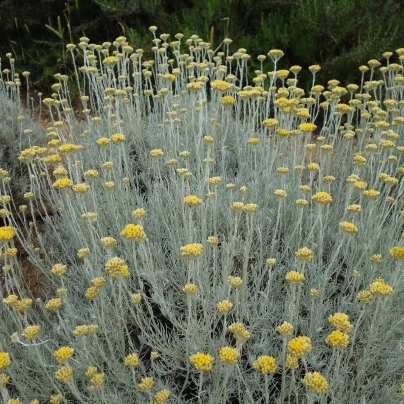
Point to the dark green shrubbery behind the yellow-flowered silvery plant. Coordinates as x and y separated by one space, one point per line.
338 34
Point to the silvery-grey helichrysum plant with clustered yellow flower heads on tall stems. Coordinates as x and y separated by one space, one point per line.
201 236
